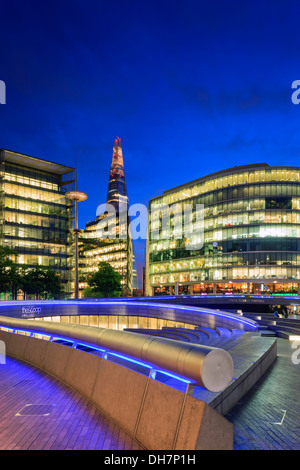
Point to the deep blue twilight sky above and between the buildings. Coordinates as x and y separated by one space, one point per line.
190 87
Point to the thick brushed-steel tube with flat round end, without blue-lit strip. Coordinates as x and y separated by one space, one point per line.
212 368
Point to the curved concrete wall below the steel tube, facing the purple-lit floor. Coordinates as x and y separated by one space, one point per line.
157 416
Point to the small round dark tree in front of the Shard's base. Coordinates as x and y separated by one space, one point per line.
105 282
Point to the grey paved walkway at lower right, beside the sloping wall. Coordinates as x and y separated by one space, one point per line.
268 416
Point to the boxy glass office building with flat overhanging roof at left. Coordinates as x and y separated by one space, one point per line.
35 216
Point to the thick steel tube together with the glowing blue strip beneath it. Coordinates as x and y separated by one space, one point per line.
209 367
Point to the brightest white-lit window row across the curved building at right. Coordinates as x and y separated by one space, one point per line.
227 233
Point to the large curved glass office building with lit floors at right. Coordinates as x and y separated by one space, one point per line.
251 237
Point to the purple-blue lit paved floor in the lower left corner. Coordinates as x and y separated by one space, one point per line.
38 412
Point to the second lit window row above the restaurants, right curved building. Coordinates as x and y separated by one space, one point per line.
247 259
